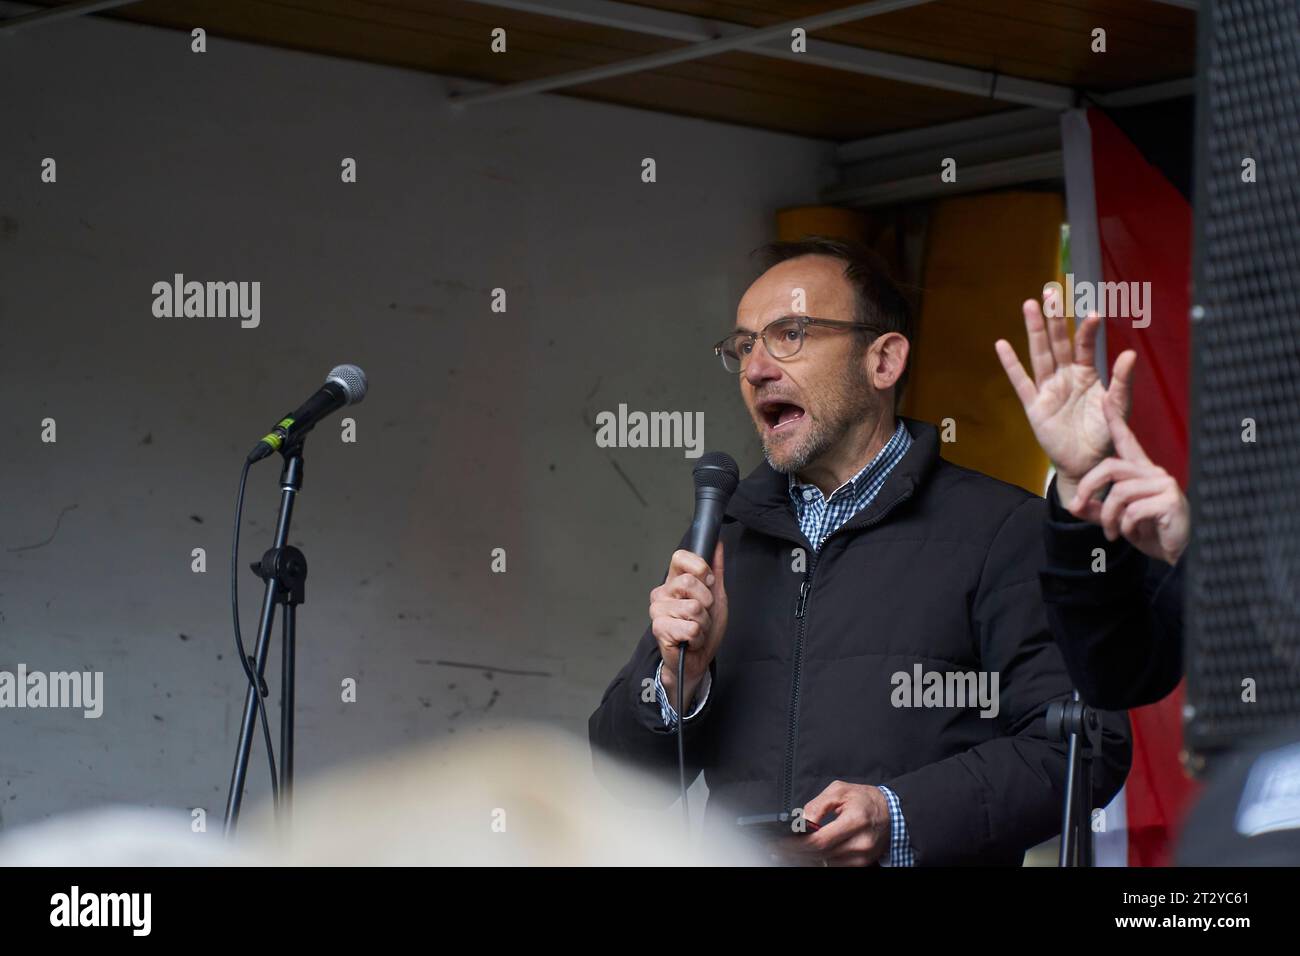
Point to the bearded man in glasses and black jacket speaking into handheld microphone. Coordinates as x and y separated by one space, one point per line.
869 646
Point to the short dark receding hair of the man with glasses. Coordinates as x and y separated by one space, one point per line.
878 299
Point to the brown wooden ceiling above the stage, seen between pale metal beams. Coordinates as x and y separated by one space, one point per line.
1035 40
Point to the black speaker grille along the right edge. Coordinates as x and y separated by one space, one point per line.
1243 611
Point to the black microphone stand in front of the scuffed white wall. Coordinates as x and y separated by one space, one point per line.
284 570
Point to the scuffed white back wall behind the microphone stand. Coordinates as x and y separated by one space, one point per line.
476 432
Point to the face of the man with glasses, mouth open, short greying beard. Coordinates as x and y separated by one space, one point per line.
805 405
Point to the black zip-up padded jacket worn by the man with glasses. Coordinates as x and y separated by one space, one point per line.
942 570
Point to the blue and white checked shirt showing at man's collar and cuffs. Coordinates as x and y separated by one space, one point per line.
820 517
